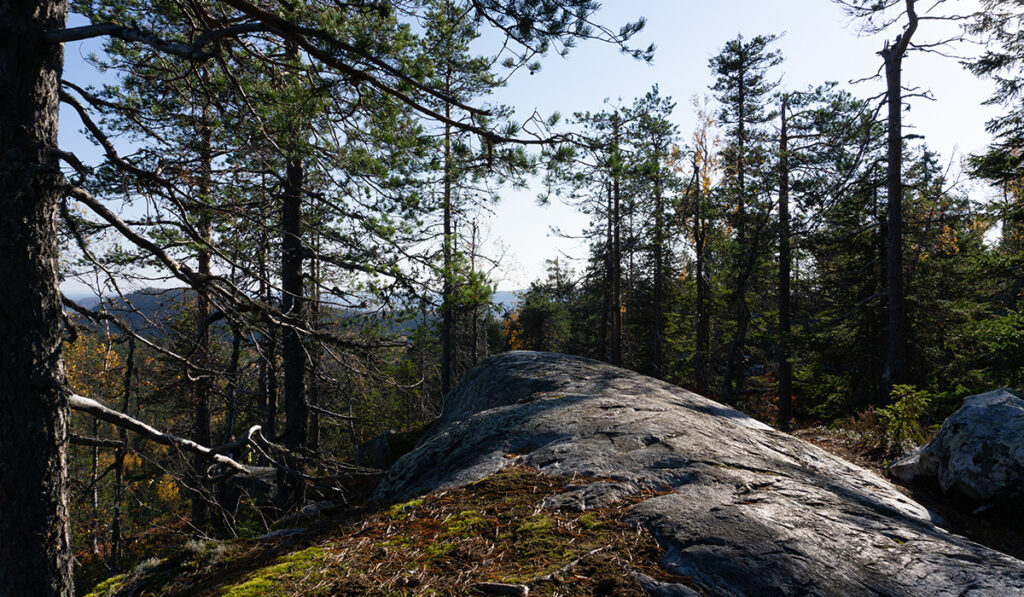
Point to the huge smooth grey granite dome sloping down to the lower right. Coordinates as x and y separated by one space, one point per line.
751 511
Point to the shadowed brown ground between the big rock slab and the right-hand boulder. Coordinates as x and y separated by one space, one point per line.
1001 529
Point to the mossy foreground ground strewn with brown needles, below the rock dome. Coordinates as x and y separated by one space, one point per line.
448 543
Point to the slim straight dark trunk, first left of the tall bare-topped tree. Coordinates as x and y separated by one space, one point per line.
785 264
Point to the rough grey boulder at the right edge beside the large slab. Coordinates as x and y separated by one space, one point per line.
979 451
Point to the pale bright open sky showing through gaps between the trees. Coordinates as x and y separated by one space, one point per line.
819 44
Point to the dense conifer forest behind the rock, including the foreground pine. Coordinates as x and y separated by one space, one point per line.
282 225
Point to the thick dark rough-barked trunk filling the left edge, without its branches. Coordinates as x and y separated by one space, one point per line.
35 556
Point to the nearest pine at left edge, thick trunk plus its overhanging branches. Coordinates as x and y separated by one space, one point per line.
33 517
